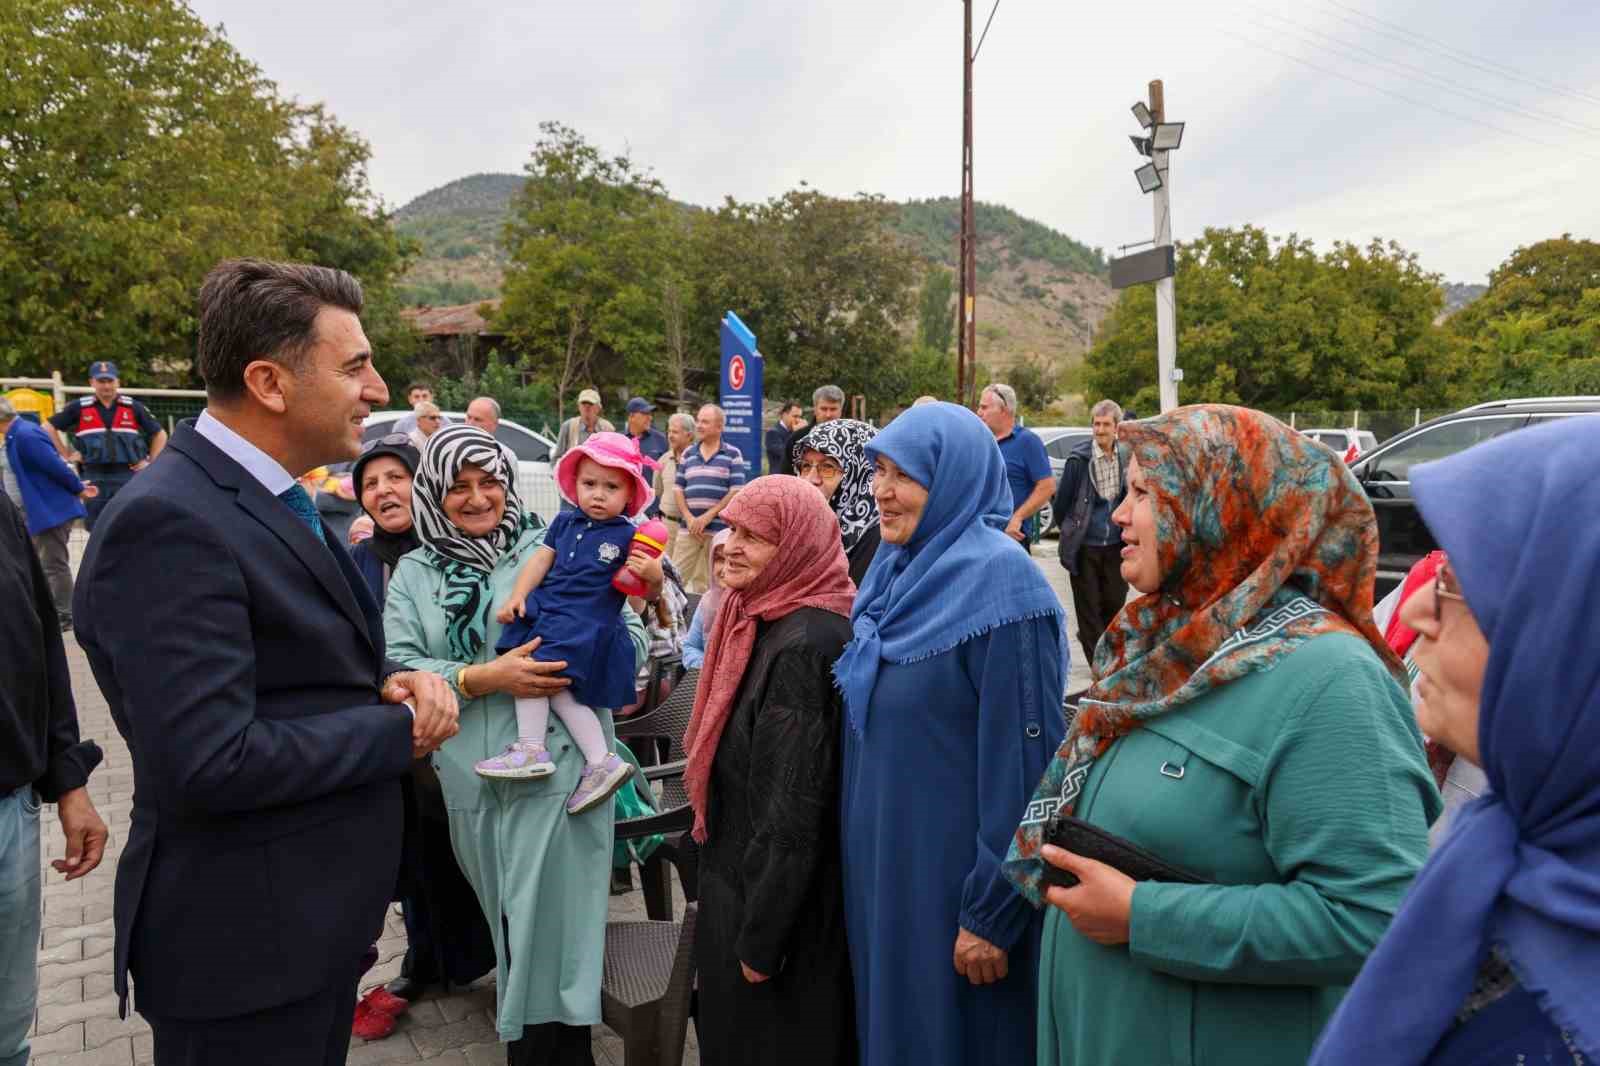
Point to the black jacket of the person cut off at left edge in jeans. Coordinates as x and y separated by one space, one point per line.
39 723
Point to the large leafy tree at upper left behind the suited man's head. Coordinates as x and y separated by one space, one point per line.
138 150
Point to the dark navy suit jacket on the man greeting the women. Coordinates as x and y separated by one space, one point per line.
242 663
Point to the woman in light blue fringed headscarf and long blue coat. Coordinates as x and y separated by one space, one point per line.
953 691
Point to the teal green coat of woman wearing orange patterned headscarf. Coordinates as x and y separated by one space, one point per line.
1305 795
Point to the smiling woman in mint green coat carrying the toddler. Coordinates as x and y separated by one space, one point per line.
540 875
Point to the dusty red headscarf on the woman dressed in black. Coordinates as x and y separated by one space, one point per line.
809 571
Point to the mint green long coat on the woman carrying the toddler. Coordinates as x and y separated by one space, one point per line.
545 872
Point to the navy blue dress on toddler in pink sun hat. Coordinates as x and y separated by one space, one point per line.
578 614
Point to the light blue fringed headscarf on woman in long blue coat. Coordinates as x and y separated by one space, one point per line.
961 575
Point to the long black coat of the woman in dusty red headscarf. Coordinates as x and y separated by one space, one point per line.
770 875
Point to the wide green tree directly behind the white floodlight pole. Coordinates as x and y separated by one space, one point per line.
1268 323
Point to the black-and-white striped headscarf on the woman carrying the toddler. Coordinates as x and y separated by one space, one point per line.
465 561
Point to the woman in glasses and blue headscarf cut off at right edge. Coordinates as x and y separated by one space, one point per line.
1495 956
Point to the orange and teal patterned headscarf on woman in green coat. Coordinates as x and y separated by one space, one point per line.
1265 540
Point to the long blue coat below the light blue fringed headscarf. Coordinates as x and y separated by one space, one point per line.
934 790
